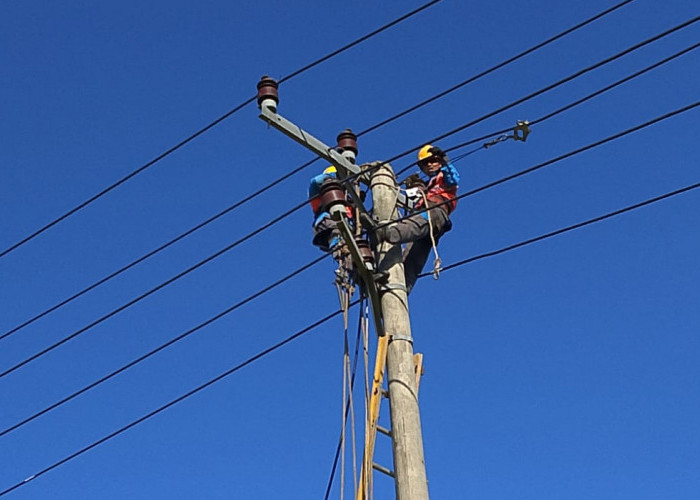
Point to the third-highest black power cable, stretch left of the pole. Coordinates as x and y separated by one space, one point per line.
151 291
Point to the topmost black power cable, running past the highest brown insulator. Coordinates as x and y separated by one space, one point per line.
209 127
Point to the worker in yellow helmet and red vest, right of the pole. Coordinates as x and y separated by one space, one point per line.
439 195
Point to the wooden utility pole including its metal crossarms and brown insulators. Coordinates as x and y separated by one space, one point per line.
389 302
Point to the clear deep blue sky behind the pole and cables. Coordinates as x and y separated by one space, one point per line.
565 369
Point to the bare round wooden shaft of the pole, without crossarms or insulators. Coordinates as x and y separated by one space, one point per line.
409 462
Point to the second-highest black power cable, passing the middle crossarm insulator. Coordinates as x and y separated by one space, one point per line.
302 167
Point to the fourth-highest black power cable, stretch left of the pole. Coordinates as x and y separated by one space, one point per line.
161 347
